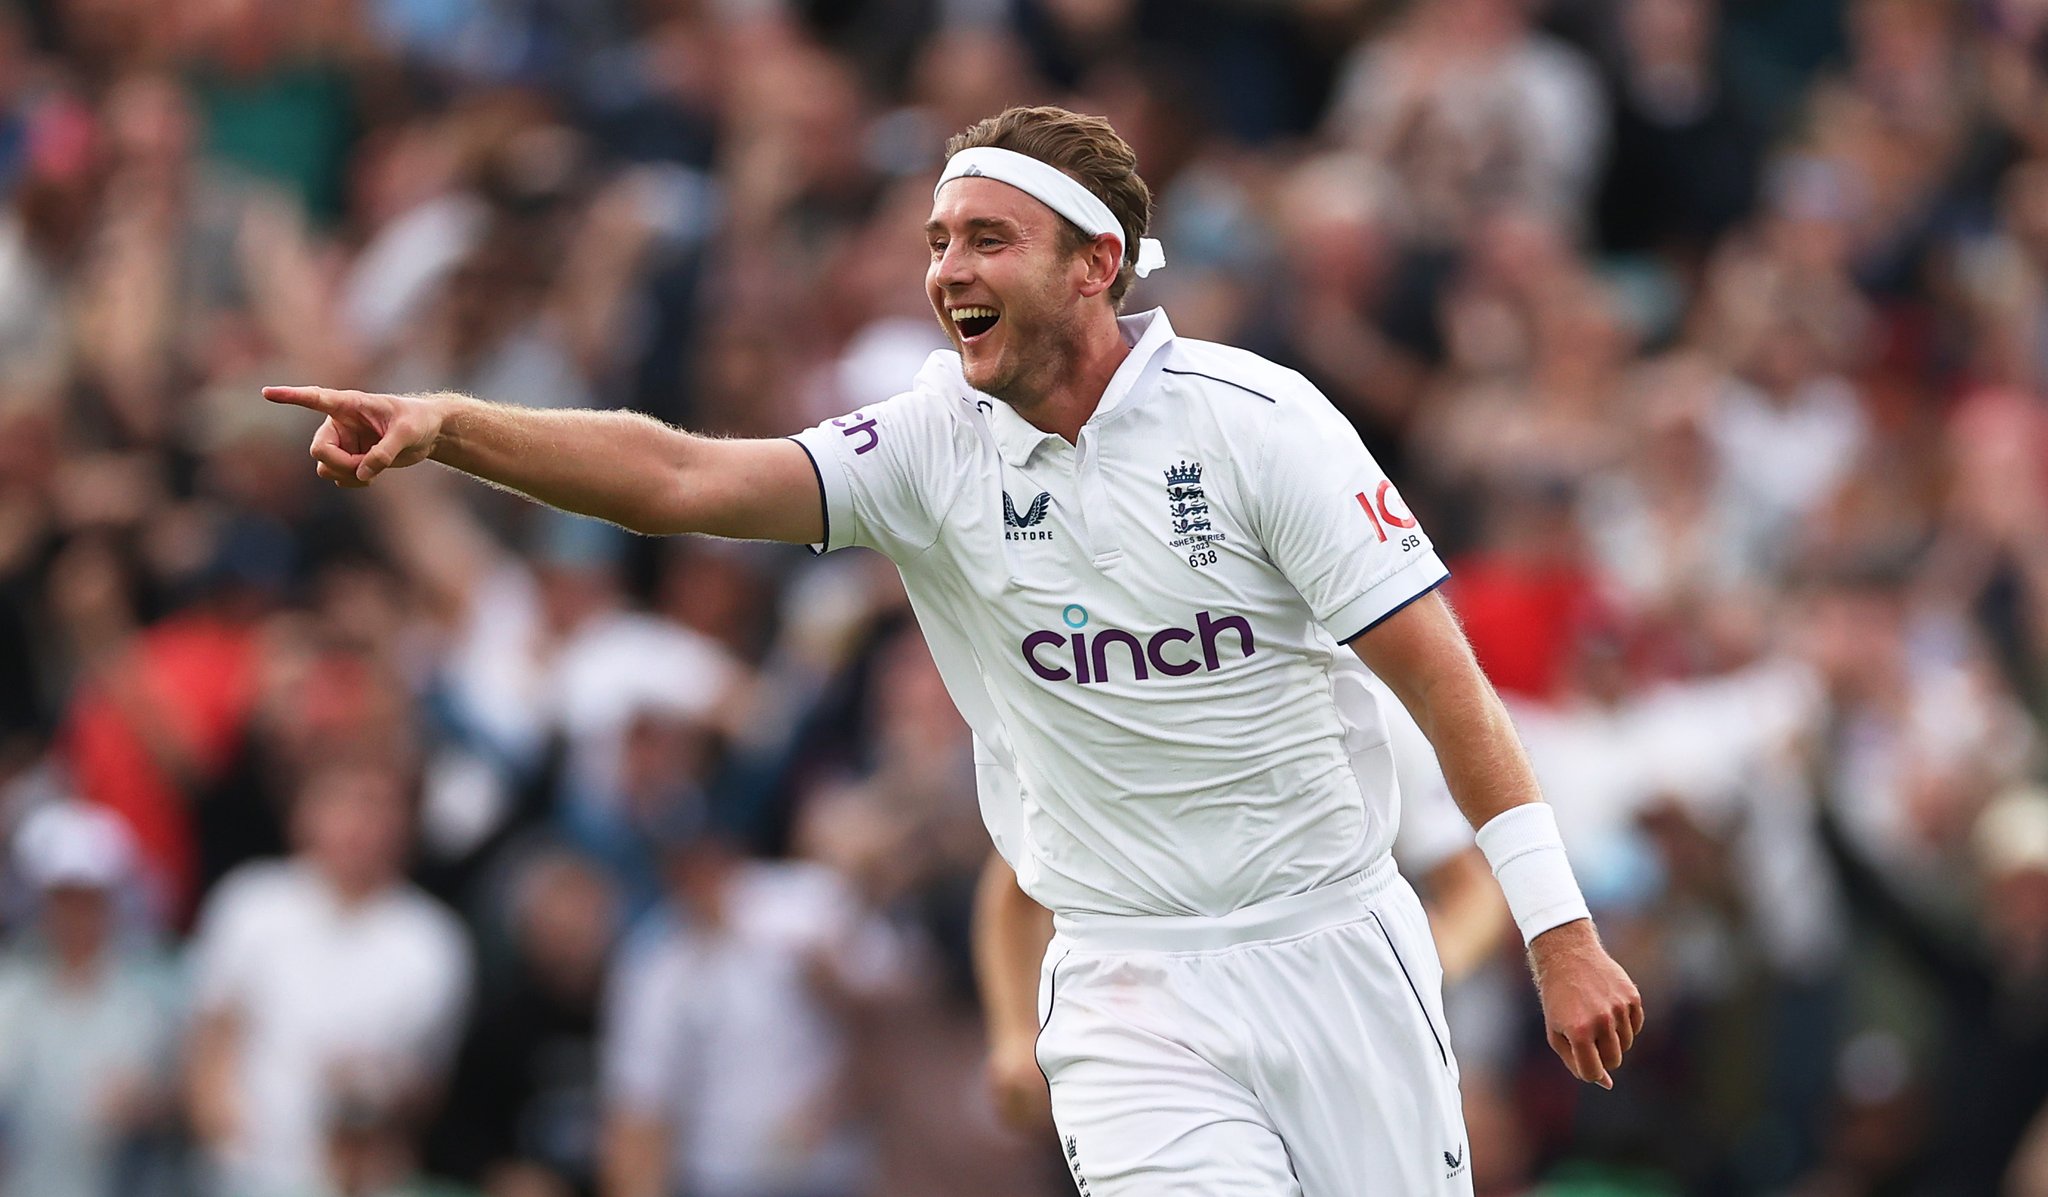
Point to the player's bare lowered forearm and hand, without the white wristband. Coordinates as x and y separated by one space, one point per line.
1590 1005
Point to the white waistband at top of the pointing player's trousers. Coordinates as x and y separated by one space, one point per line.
1275 919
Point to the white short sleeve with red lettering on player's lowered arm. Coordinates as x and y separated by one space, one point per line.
1334 524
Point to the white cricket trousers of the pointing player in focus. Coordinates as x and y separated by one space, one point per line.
1293 1048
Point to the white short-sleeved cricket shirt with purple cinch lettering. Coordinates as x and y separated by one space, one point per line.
1144 626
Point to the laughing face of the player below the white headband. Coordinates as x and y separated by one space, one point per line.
1002 253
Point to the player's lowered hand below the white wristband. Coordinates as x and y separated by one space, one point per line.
1590 1007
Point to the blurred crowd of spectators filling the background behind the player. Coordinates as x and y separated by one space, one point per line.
419 841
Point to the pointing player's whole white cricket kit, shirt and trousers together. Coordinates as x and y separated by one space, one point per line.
1144 632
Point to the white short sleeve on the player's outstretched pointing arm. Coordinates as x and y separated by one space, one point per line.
888 474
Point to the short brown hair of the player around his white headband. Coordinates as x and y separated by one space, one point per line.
1086 149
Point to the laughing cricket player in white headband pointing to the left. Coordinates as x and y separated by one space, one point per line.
1138 561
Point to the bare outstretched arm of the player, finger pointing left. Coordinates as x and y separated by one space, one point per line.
617 466
